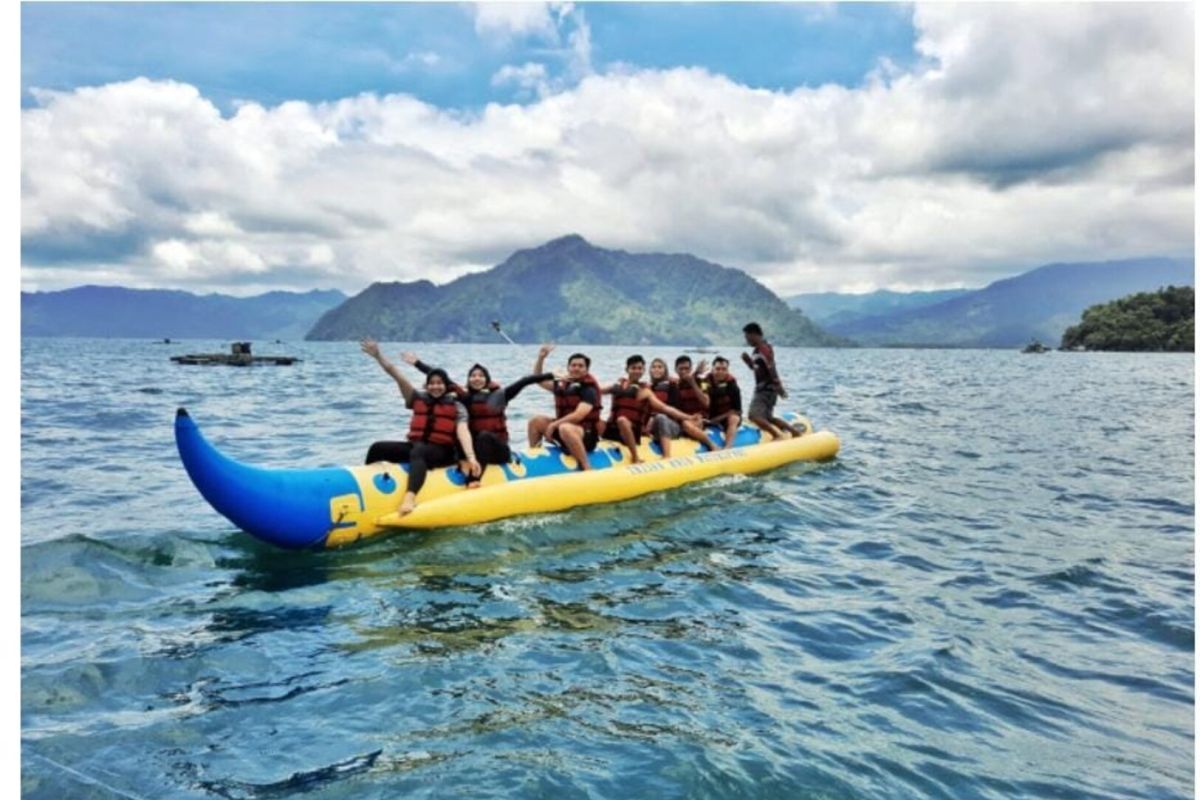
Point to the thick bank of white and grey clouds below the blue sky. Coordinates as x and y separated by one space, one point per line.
1027 135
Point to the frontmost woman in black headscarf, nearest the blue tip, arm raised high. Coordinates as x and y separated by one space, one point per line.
439 423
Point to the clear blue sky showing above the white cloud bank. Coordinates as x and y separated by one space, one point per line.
322 52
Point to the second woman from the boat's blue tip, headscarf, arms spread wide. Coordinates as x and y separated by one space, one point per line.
485 401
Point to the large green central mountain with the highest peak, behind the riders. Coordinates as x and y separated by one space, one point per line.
569 291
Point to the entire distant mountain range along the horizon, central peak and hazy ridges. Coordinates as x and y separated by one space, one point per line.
571 291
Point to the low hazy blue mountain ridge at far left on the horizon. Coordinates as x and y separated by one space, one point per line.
158 314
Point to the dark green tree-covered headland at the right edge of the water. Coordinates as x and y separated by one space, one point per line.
1162 321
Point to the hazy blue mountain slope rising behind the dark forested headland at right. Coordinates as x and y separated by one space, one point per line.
1040 304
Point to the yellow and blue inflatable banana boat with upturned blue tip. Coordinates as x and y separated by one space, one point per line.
339 506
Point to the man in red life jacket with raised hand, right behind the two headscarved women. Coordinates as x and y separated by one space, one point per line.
577 423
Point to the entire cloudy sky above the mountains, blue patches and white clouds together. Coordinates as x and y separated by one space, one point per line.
243 148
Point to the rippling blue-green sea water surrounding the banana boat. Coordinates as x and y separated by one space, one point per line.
988 594
